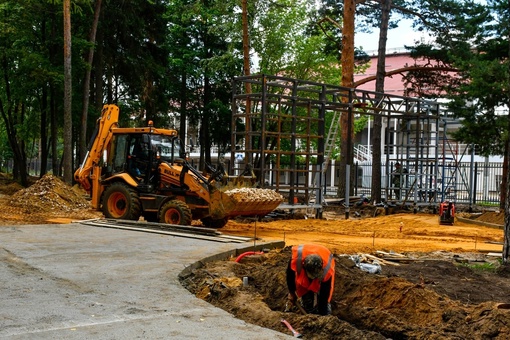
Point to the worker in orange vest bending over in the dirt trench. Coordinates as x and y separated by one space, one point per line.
311 278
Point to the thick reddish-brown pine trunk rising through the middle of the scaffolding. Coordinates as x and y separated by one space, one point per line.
347 62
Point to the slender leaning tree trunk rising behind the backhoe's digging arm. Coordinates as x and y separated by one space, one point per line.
86 84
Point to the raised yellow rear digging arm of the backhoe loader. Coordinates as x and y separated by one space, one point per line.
86 174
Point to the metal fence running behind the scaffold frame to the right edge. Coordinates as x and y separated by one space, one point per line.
471 183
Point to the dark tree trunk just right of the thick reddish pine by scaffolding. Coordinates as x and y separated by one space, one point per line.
379 87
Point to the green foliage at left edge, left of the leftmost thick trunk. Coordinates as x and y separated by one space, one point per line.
27 72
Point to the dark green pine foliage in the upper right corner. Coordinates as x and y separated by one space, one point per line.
475 43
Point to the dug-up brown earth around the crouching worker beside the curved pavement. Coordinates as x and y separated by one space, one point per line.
420 300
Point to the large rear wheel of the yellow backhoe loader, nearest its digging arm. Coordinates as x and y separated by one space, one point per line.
121 202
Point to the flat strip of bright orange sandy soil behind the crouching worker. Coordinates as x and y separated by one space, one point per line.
398 232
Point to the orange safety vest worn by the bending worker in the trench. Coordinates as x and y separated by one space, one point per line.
303 283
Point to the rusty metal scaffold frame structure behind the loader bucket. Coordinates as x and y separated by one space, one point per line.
286 130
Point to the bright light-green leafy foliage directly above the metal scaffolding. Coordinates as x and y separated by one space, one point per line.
287 41
